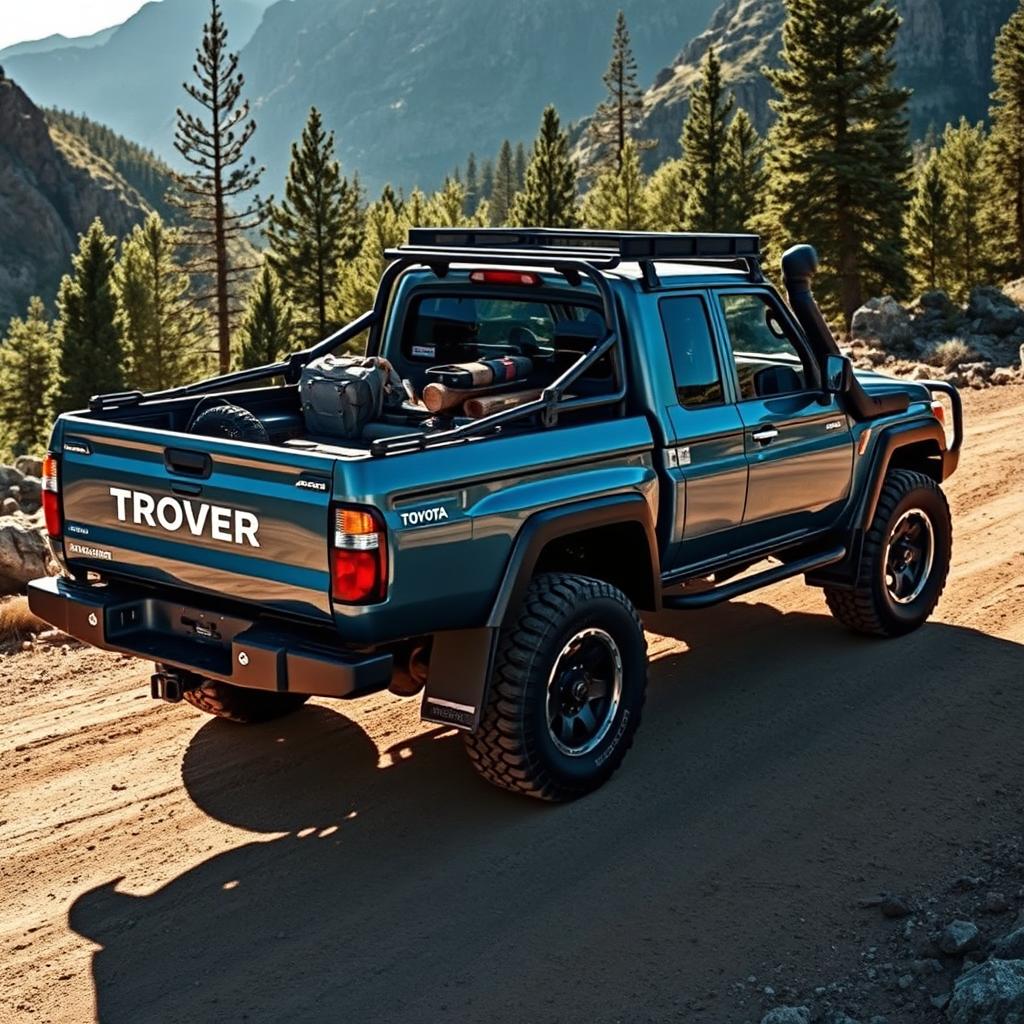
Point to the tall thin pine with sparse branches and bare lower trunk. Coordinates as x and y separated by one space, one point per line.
215 142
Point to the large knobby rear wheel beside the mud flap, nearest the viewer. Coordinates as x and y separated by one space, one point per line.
567 693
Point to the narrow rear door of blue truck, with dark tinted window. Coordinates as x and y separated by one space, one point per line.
707 458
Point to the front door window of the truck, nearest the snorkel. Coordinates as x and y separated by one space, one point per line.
769 361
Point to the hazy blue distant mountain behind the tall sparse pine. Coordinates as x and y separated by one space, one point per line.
410 89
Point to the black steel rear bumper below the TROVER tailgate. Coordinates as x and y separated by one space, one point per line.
265 656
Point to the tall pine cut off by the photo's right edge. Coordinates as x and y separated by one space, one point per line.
1007 149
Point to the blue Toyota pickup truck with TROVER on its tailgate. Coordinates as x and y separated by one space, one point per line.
680 437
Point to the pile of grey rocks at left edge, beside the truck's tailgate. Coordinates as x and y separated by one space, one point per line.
24 553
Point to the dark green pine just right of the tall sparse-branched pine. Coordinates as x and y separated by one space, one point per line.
307 232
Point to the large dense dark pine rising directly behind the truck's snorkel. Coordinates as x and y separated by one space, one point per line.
838 155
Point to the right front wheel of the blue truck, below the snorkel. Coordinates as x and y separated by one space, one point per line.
912 532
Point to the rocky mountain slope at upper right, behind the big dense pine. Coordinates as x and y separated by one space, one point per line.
945 54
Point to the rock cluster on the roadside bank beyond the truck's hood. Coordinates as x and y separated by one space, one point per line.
977 346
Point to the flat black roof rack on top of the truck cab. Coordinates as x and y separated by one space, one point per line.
611 248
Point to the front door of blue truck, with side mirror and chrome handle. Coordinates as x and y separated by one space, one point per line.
797 438
